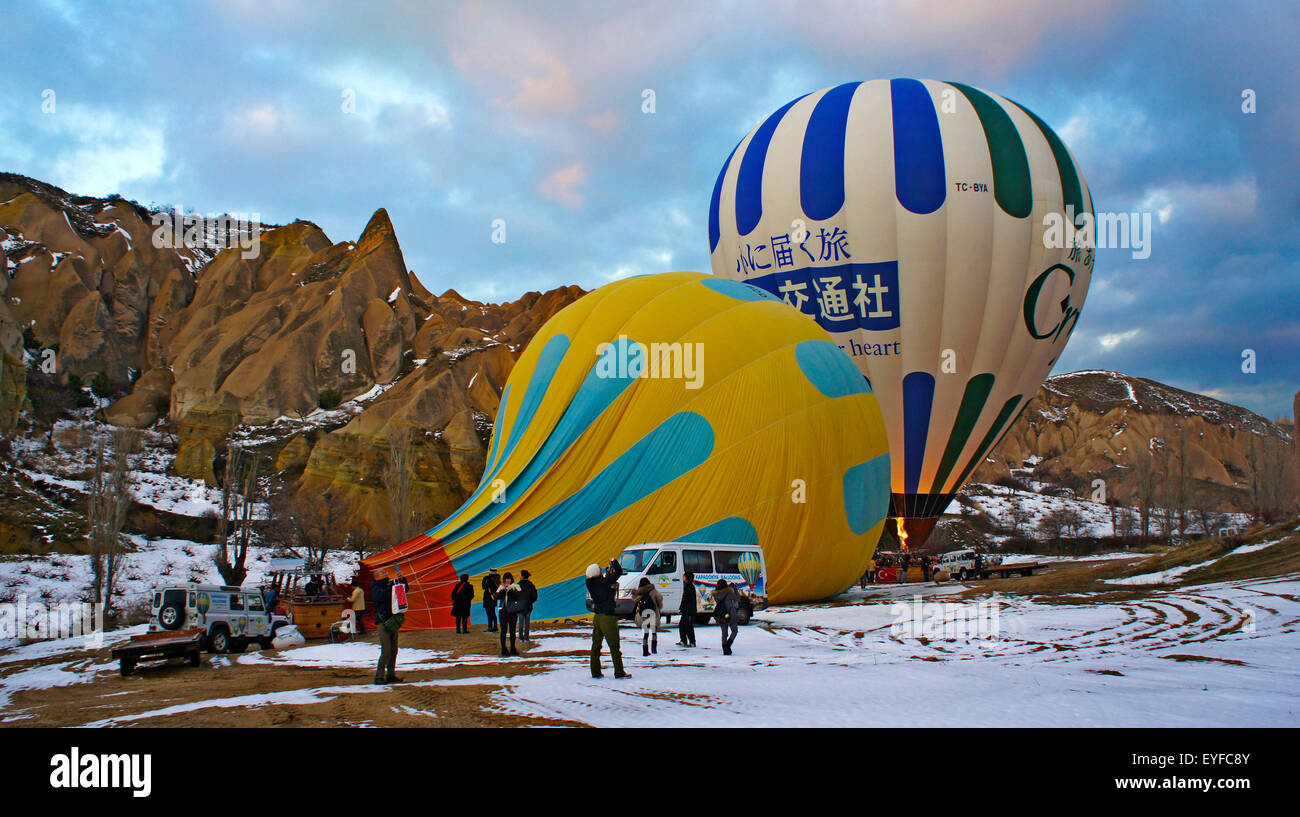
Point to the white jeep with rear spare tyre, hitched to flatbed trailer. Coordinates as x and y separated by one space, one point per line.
229 617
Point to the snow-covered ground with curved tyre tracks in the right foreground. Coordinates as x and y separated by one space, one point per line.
1180 659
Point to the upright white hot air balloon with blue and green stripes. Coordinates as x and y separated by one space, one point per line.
930 228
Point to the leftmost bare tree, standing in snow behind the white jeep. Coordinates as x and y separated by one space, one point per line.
110 500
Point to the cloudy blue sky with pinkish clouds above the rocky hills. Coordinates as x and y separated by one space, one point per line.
456 115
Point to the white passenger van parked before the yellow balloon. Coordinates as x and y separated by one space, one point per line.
665 564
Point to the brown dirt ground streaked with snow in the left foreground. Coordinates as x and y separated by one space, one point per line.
158 686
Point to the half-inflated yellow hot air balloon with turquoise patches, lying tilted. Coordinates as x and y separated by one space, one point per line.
668 408
